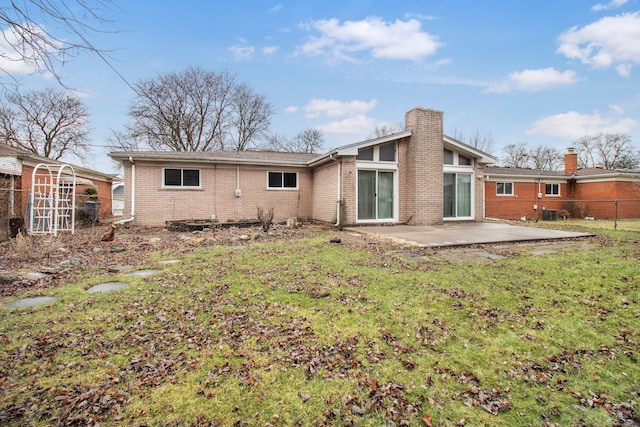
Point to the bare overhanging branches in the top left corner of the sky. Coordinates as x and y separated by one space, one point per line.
41 35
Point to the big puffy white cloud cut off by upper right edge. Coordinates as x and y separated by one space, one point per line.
611 40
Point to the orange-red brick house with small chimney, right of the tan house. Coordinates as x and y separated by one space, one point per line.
520 193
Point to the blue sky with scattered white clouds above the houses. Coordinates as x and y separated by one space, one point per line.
542 73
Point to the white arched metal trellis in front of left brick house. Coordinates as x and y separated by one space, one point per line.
52 200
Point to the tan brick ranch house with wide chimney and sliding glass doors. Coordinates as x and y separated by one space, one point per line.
418 176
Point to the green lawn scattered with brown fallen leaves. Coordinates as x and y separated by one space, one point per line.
307 332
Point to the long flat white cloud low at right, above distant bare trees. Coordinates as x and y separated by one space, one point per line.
572 125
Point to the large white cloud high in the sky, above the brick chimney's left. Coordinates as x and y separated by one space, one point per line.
402 40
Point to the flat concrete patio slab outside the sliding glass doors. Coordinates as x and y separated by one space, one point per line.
464 234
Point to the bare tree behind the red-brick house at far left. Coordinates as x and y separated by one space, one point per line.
49 123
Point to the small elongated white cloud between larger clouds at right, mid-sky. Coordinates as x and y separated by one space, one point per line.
534 80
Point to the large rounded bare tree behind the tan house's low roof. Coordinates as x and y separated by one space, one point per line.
197 110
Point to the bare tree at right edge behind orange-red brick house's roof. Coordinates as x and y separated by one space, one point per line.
608 151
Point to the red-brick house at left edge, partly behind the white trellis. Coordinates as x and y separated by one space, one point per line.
16 172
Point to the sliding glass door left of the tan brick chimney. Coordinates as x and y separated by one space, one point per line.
375 195
